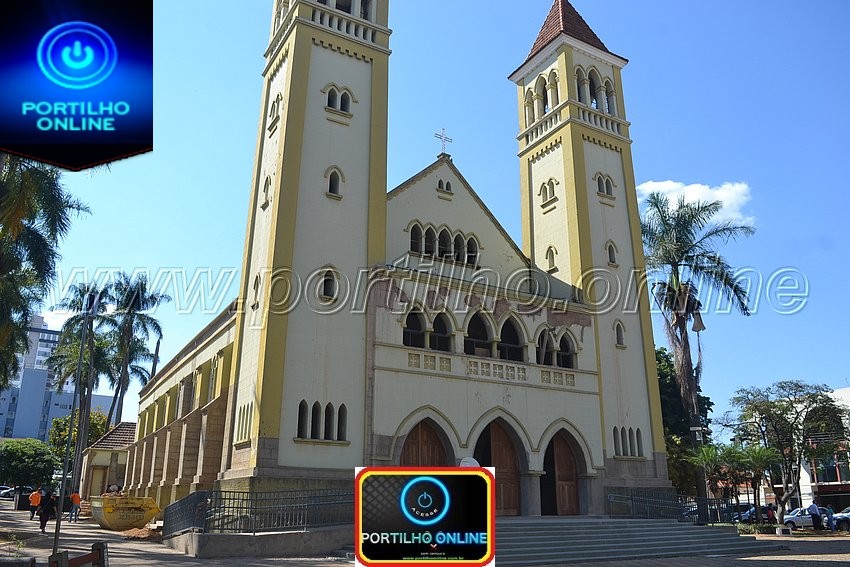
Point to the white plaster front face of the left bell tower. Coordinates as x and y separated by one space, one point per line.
325 353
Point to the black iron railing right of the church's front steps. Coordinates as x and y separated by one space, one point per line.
642 503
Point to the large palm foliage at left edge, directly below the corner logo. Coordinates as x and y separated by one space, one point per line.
35 214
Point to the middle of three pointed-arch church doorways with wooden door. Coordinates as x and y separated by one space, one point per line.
496 449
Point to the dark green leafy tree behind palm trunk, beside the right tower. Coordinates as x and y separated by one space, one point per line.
677 435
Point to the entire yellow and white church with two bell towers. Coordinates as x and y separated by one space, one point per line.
406 327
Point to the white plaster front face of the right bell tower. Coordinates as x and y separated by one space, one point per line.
624 370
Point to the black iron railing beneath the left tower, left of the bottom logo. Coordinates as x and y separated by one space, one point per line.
217 511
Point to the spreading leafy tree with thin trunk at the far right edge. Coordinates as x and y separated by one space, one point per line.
800 421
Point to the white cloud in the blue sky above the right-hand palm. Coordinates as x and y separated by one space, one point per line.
734 196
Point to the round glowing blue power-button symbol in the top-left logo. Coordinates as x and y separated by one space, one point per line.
77 55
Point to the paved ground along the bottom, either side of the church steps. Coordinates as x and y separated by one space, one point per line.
803 549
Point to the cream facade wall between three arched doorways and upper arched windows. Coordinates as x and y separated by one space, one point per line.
463 404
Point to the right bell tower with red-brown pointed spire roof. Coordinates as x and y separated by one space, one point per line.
580 223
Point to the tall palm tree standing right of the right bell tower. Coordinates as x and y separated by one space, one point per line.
681 245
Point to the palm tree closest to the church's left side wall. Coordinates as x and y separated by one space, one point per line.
133 300
